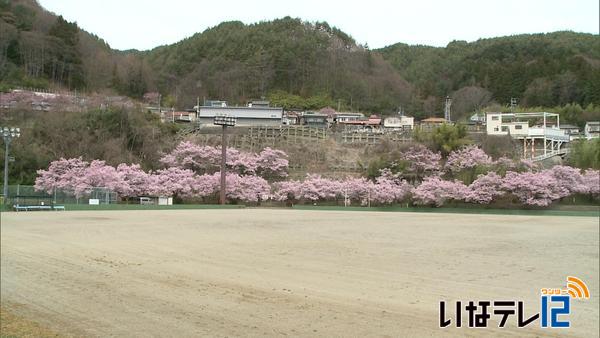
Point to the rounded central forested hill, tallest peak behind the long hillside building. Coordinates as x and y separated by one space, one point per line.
241 62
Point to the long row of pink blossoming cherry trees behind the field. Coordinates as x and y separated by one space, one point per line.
422 177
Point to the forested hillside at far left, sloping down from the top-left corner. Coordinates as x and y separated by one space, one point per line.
39 49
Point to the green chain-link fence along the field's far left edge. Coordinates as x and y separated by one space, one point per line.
27 195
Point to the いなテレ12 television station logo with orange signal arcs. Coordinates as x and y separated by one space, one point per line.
555 307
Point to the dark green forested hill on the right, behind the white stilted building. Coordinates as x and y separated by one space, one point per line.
539 69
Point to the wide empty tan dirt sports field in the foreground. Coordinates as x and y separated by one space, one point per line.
262 272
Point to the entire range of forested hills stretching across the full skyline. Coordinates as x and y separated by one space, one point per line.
303 65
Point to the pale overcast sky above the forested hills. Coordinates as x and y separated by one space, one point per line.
145 24
